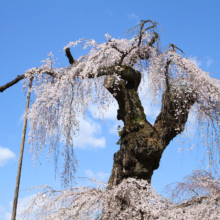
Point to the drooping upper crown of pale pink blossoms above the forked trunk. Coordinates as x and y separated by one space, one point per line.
61 94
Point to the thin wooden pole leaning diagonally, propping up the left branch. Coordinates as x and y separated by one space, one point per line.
13 217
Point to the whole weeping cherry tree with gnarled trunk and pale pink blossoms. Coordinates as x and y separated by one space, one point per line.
117 70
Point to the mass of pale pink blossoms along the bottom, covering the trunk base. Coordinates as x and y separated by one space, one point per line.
132 199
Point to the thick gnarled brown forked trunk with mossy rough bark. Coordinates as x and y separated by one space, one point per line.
142 144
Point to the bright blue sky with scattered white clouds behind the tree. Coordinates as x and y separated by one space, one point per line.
31 29
